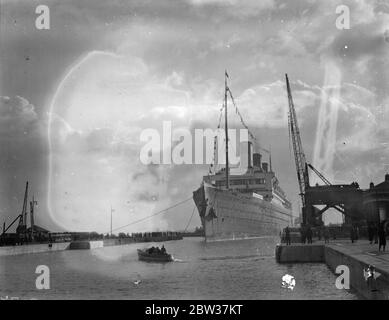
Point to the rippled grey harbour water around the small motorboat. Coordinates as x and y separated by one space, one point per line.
243 269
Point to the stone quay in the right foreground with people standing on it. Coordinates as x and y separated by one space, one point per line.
356 256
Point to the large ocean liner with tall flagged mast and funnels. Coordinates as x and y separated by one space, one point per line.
239 204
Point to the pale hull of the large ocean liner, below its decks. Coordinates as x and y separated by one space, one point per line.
229 215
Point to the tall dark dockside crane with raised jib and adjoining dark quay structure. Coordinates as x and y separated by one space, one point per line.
356 205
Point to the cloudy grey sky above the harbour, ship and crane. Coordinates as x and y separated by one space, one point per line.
74 99
